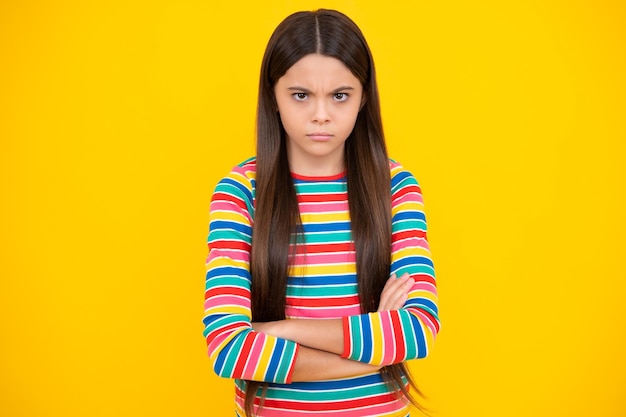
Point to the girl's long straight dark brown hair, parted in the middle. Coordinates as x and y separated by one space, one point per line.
277 217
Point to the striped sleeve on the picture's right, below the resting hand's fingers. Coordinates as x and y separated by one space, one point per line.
388 337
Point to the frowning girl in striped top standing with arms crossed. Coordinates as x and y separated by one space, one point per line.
319 280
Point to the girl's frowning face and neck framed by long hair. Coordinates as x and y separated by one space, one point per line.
318 100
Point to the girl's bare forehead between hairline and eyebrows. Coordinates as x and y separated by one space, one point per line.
316 68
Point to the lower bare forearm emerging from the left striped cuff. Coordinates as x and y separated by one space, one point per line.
315 365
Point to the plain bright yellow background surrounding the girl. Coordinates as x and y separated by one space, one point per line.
118 118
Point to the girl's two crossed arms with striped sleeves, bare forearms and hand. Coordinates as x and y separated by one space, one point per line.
306 350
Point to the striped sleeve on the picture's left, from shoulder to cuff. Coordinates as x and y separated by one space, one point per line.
235 350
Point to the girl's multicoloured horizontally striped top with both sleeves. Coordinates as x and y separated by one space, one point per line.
322 284
